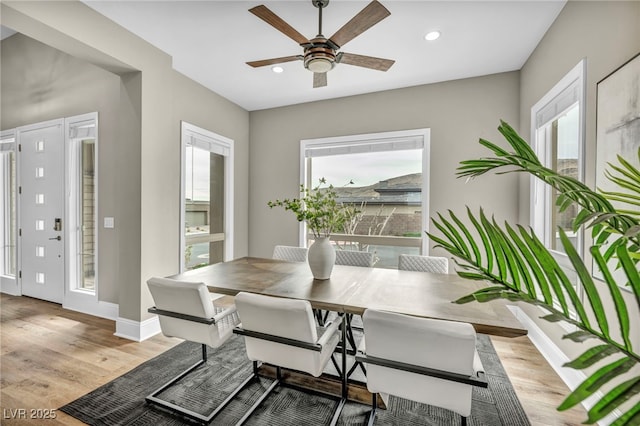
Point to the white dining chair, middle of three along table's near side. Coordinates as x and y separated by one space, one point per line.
283 333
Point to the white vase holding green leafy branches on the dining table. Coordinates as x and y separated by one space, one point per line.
319 209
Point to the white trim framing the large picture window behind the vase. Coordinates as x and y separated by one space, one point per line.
402 139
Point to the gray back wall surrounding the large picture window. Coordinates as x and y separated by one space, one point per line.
457 112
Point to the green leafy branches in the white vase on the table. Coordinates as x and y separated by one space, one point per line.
319 208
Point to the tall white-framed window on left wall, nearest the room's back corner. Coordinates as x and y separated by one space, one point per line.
207 209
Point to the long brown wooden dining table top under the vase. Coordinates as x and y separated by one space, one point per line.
353 289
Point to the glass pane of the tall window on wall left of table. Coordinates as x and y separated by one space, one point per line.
204 207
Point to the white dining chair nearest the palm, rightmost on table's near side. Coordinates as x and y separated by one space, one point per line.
425 360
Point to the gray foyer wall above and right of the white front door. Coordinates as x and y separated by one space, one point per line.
40 83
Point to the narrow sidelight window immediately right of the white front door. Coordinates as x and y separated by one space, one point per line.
83 201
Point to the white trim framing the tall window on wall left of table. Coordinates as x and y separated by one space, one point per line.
221 145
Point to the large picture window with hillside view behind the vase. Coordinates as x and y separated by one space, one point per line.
384 176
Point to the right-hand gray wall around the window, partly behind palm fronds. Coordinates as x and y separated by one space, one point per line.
607 34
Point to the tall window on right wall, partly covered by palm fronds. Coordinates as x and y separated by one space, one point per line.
557 132
